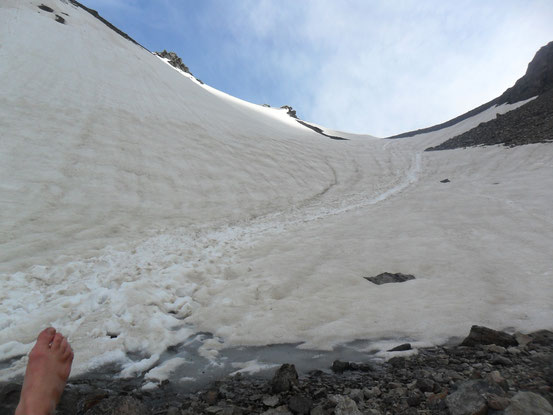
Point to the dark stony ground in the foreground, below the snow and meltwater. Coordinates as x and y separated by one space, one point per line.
491 372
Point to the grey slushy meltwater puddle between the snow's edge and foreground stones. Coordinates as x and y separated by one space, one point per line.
185 367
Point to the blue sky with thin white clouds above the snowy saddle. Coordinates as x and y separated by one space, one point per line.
378 67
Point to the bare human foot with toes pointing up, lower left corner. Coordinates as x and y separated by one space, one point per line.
47 371
